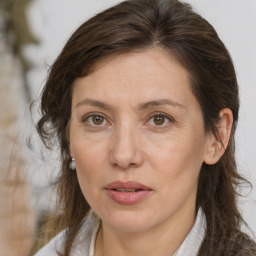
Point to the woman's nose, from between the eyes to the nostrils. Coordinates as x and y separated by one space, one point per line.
125 150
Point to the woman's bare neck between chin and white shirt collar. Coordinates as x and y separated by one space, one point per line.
162 240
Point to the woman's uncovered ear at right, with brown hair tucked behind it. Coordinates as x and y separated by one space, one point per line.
217 143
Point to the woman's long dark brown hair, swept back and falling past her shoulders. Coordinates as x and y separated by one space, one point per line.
137 25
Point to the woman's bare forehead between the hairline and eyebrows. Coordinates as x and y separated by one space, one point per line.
149 73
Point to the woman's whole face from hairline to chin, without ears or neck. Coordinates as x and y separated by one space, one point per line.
138 139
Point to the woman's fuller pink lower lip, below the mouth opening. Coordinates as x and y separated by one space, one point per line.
128 198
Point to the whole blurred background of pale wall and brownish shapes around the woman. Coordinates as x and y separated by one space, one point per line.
32 34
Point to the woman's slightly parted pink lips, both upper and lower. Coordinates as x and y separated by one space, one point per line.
114 191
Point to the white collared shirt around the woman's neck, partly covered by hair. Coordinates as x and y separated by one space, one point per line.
84 244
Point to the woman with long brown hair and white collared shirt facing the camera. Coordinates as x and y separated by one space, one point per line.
144 102
